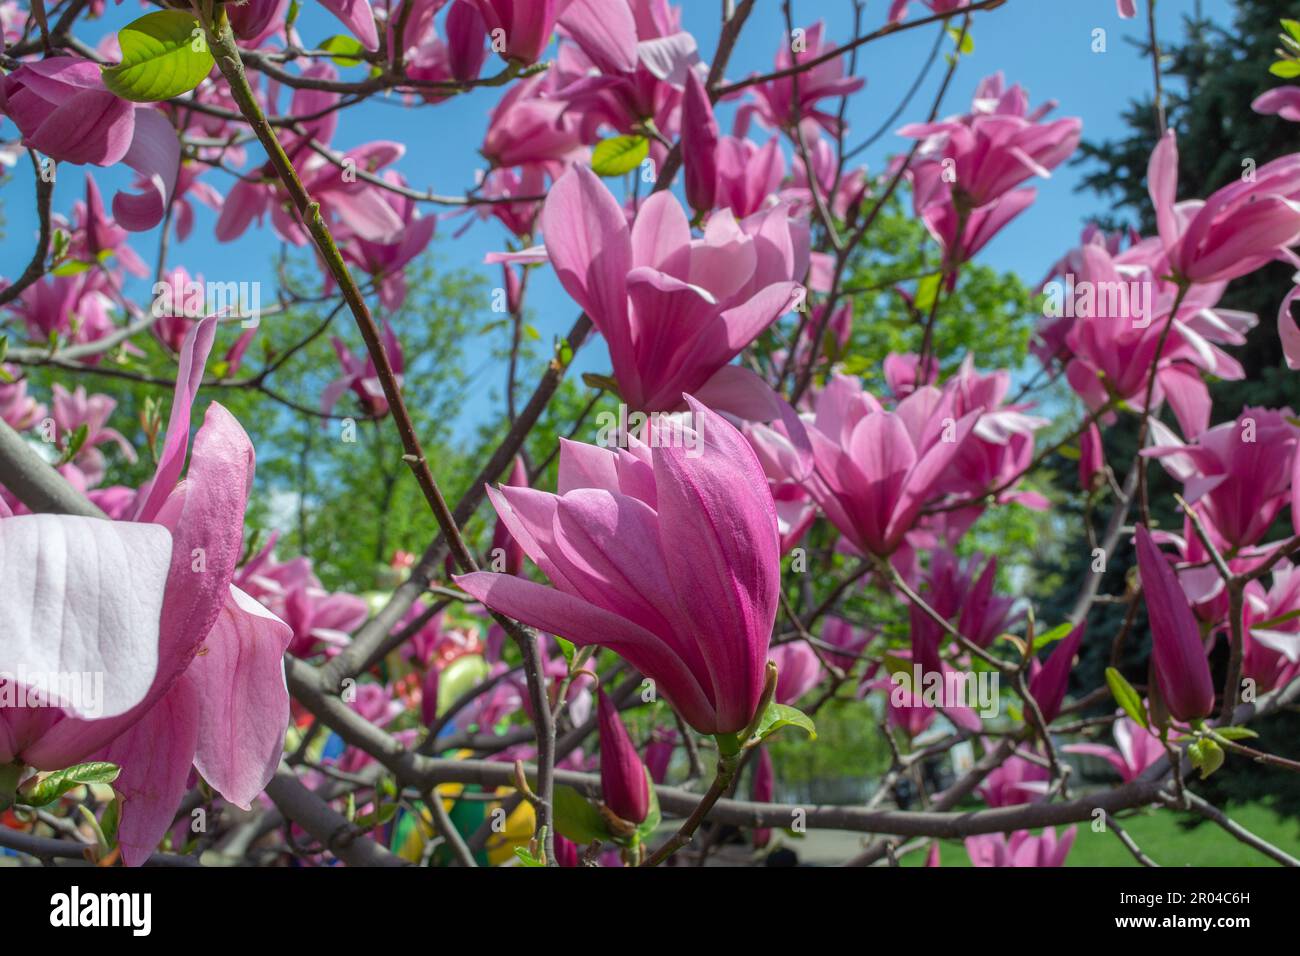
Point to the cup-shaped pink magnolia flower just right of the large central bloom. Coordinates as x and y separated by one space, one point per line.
877 469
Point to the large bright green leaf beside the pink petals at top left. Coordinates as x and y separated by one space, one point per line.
164 55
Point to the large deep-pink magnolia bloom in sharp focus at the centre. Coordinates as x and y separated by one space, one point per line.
686 590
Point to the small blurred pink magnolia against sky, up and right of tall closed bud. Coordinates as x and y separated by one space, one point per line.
775 101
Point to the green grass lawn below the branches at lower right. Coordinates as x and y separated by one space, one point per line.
1164 841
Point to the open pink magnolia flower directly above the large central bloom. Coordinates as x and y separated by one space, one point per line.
674 312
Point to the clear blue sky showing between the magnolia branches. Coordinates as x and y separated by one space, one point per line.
1043 45
